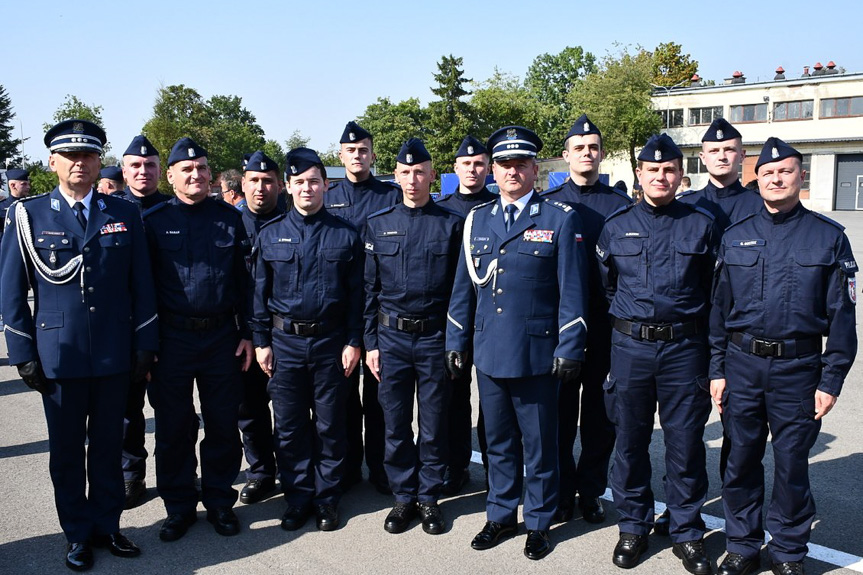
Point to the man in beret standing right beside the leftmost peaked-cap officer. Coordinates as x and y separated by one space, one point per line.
198 248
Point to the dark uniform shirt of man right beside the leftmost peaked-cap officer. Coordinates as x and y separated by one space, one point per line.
198 253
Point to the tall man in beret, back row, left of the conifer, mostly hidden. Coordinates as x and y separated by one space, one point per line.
354 199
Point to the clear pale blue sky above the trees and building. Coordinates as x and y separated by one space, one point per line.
315 66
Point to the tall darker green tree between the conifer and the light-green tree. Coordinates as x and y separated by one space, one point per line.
550 79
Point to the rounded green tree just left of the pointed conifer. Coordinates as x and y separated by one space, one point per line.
391 125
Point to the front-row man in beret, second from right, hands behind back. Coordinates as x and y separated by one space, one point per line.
656 259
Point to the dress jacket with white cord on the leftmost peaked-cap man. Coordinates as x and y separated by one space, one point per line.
89 325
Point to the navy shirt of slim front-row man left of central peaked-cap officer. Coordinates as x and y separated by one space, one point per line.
411 257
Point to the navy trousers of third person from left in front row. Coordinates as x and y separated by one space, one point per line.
309 392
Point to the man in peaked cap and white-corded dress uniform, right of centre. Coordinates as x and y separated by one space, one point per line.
520 254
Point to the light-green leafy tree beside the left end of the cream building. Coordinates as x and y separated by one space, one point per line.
617 99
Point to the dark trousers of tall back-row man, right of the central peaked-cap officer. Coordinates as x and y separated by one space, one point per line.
590 478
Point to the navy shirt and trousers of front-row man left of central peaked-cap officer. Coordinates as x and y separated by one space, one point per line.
411 256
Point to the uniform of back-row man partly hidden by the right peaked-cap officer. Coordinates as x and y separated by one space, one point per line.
460 424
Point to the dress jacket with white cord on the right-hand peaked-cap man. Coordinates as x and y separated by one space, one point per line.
520 294
